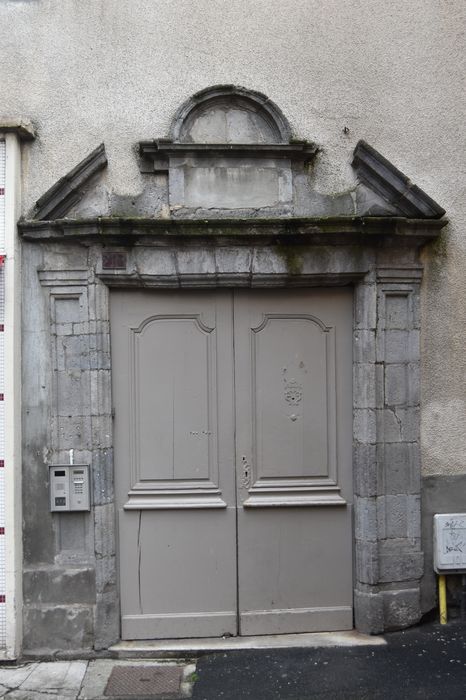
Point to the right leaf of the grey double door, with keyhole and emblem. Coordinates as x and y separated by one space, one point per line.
293 441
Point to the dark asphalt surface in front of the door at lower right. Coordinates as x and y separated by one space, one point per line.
425 662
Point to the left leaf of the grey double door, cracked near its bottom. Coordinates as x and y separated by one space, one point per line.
174 470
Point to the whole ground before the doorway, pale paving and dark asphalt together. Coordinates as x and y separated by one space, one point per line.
427 662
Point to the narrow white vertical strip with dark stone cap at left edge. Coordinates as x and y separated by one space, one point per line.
12 133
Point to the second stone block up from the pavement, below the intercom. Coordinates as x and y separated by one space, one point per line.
68 586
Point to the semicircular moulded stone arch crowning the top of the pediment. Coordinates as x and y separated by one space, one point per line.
229 114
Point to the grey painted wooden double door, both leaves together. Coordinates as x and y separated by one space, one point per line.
233 461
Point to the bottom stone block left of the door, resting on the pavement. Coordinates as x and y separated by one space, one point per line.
50 628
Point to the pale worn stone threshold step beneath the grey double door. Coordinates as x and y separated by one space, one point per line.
191 648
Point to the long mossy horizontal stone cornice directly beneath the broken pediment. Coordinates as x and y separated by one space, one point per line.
308 231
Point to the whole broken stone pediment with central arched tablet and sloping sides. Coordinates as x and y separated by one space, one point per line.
230 154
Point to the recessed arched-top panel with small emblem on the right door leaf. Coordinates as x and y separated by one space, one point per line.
292 391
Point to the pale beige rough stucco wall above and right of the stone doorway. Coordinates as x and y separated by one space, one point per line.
392 73
